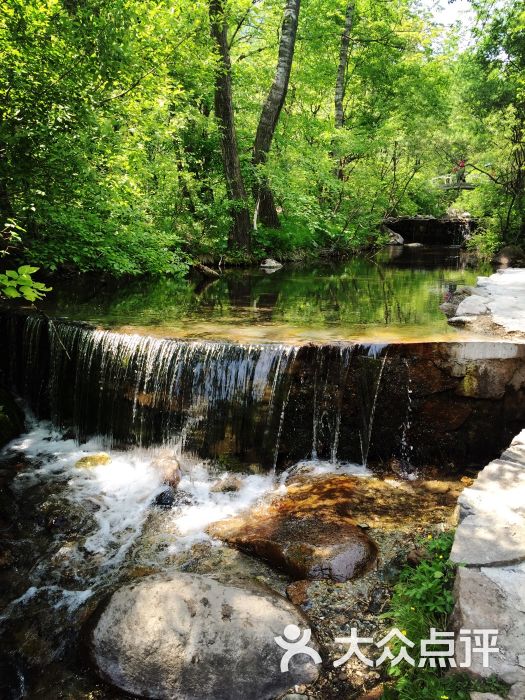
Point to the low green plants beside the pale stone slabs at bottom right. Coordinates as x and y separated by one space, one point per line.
423 599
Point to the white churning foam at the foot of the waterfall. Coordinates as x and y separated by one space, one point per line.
120 495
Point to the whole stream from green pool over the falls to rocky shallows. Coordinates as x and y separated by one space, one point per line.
219 382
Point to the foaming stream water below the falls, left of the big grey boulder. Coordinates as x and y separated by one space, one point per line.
71 534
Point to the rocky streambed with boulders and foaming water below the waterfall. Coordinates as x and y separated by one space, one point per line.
107 589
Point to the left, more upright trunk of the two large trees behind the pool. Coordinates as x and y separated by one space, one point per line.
240 233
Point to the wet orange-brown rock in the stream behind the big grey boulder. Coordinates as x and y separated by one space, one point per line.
308 533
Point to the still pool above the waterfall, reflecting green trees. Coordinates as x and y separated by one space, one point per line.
393 295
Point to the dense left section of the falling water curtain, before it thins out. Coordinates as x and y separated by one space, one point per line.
132 389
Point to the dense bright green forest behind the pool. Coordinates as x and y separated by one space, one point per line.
141 136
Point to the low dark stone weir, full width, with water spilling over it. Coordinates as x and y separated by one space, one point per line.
446 405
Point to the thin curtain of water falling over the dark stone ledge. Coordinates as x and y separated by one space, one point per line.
262 404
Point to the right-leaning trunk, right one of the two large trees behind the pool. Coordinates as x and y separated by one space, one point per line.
265 205
